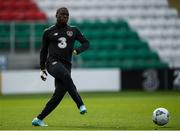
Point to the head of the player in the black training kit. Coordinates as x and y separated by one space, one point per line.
62 15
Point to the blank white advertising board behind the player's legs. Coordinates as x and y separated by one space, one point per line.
28 81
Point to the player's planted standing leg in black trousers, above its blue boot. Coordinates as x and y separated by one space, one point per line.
56 98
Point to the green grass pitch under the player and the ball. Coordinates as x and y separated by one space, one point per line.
106 111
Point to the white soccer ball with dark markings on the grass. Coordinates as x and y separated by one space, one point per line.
160 116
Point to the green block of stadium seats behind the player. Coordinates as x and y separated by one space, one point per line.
113 43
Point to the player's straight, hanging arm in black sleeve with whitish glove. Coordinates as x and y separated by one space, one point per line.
43 55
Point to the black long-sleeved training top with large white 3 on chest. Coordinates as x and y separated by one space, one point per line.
58 44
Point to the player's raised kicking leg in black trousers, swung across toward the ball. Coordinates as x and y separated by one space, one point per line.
63 73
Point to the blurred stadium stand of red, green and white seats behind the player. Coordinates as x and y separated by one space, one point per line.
124 34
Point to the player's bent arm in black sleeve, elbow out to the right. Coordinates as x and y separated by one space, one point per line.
84 43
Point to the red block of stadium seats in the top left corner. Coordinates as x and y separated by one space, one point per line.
21 10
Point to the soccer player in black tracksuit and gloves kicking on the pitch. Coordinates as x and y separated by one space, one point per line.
55 57
